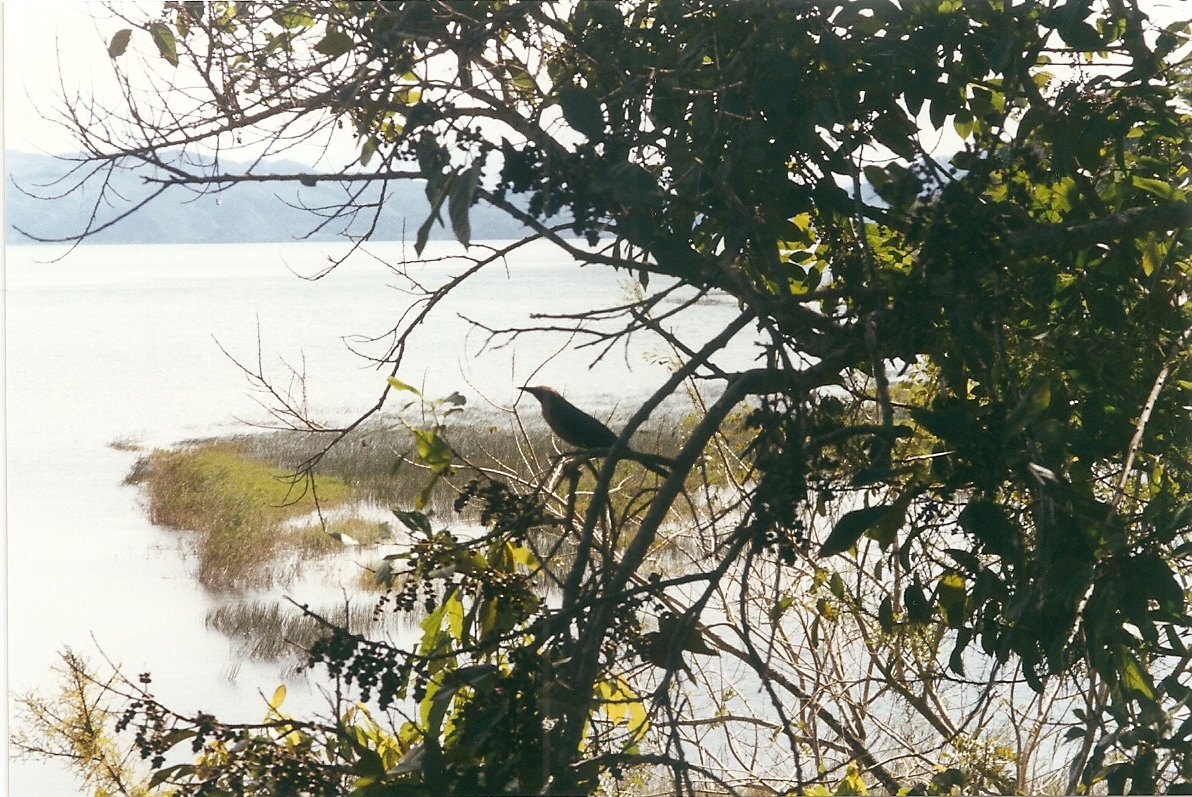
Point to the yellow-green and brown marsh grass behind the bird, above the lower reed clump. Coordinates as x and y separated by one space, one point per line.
256 524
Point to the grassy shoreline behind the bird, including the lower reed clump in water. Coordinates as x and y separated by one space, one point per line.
253 527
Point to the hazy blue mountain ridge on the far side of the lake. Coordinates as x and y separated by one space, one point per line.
253 213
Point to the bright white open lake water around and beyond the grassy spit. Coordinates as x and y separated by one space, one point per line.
120 345
